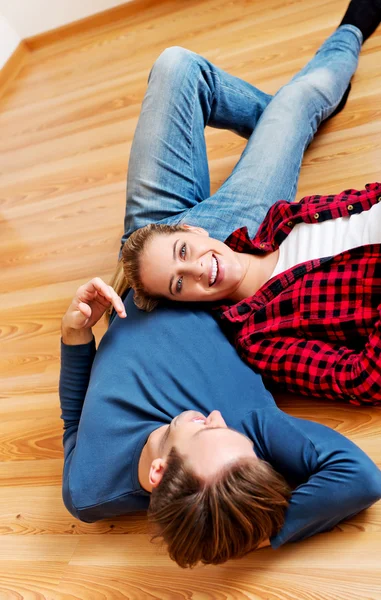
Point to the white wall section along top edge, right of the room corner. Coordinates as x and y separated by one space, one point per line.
30 17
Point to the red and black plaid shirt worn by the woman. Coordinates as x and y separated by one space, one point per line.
315 328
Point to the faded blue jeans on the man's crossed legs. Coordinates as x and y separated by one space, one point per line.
168 174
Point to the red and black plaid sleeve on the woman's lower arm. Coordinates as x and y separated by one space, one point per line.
314 367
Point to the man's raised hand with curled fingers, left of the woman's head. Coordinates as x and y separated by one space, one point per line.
89 304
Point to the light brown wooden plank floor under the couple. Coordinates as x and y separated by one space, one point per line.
66 125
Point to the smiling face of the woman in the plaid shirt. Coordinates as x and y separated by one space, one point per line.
190 266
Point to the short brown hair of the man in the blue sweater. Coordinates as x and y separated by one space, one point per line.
217 520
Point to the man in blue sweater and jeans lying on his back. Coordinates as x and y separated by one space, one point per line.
143 413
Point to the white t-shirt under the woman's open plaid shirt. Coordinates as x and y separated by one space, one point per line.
310 241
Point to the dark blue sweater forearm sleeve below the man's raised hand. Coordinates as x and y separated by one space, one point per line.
76 363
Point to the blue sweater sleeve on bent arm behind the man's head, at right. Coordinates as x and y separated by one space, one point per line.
342 480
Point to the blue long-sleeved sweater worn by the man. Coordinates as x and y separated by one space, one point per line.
148 369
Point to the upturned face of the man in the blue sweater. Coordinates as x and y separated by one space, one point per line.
206 441
